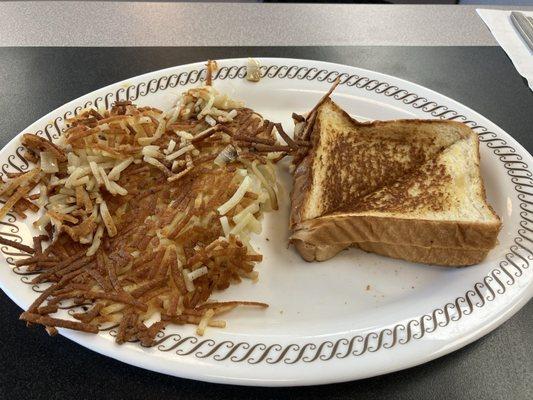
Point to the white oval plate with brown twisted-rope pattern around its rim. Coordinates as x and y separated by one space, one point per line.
357 315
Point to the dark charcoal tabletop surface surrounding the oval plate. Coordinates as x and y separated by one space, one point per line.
37 80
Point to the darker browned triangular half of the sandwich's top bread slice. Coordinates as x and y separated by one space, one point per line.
350 159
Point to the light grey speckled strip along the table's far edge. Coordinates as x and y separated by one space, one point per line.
44 23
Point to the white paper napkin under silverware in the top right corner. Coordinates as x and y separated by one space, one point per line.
499 23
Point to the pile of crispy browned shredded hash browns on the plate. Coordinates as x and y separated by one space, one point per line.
149 212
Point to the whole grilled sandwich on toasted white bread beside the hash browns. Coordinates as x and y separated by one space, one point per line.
408 189
